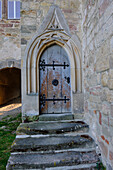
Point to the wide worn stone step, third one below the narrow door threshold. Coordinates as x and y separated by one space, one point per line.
40 161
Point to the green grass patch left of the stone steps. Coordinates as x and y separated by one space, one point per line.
8 126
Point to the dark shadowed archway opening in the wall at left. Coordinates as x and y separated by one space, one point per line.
10 84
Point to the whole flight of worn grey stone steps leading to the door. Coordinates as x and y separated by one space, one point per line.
55 142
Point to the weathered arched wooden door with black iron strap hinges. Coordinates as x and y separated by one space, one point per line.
55 82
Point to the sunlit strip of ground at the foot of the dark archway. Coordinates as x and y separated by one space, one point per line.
13 107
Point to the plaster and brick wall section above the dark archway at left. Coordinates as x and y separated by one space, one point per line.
9 38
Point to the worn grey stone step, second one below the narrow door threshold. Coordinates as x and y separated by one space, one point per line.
52 143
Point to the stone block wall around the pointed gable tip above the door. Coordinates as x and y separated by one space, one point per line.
33 13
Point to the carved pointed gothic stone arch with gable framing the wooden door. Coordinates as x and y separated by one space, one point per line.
54 30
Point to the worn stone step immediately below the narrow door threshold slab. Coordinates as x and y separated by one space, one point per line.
51 127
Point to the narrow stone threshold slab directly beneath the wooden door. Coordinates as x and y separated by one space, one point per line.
56 117
